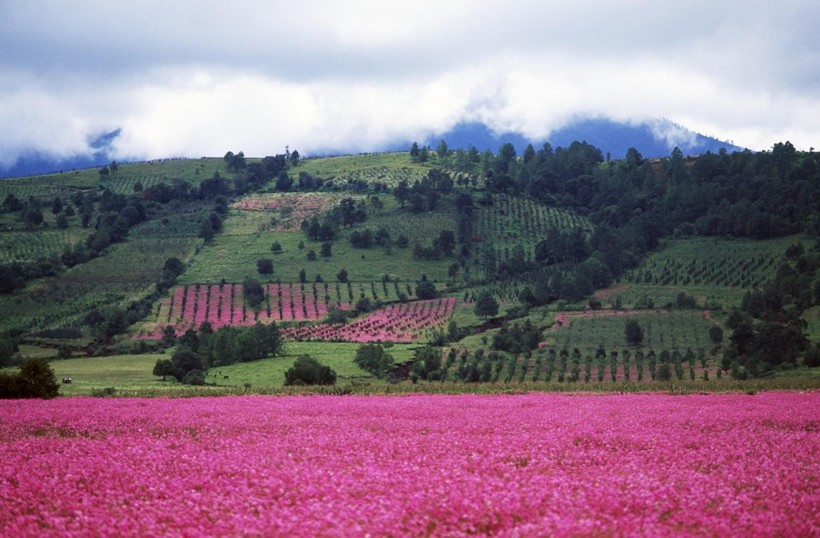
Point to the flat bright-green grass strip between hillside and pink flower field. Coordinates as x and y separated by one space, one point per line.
130 375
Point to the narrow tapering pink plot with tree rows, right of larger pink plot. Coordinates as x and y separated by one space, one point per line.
401 322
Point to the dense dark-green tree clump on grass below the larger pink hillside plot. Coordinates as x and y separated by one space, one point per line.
199 350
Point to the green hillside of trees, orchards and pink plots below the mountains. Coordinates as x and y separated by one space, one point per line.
569 246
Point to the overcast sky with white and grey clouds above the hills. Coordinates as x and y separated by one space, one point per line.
193 78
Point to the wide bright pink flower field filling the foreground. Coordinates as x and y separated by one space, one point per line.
505 465
